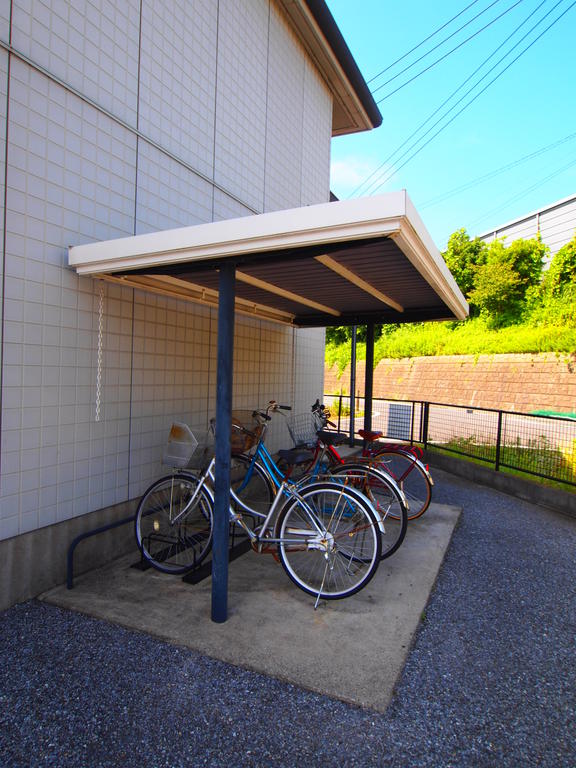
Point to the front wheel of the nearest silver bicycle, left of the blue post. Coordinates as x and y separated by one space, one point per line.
174 535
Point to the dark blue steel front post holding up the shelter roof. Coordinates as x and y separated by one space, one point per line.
227 288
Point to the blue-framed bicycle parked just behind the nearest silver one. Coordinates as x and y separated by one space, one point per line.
257 475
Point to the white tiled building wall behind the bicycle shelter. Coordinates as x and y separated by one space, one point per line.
119 117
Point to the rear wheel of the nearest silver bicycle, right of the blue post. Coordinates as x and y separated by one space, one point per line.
329 540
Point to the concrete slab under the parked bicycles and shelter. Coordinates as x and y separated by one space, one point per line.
352 649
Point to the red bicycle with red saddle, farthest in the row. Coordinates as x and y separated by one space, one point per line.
402 463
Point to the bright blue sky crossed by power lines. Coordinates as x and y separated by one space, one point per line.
510 152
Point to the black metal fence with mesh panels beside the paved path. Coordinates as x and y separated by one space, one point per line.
544 446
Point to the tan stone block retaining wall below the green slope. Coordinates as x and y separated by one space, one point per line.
524 383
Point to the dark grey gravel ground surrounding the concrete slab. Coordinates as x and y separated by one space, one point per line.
490 680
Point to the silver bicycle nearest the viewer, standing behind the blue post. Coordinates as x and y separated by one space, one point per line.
326 535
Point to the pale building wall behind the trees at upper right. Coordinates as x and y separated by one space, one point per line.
556 225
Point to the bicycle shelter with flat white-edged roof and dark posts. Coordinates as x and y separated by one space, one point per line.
355 262
